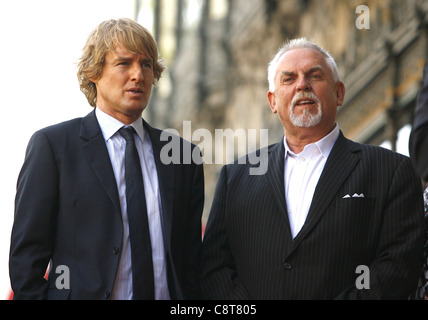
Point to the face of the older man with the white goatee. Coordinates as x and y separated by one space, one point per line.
306 94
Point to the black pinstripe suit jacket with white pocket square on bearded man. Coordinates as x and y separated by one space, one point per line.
248 251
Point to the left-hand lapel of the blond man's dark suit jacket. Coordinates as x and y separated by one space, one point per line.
96 153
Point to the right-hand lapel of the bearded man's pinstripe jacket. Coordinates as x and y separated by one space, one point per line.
342 160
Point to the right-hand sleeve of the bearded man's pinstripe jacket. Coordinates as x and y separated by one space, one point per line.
395 270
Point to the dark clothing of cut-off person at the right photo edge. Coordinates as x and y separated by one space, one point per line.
418 144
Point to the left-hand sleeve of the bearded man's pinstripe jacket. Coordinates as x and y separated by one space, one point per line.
219 277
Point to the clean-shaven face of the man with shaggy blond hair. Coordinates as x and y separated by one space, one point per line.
125 84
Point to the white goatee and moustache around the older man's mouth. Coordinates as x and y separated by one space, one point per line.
306 119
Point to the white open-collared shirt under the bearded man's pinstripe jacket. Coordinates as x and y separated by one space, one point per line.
301 174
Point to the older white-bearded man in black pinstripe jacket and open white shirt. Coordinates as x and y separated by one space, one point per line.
326 210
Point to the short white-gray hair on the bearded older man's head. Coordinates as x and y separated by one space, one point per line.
300 43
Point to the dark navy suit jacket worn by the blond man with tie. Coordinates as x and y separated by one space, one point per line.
67 212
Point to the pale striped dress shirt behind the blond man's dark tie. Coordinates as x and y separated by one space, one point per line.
116 145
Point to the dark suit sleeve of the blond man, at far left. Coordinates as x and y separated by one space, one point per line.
32 232
